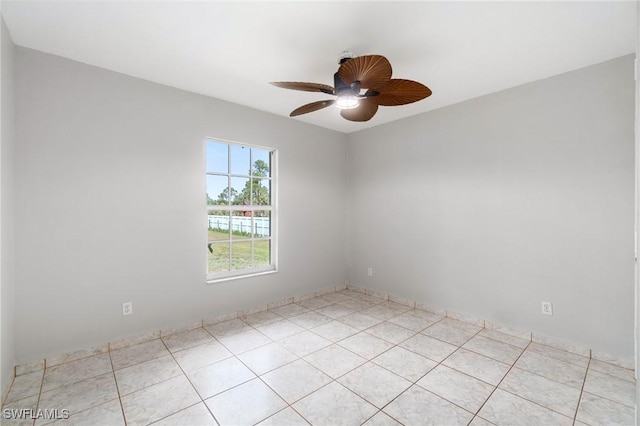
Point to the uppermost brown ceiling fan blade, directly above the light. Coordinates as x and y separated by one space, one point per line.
372 71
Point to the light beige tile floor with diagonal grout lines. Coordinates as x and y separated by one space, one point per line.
343 358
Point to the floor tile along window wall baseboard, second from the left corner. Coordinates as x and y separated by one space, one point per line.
75 371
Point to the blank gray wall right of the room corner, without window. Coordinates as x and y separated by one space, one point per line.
520 196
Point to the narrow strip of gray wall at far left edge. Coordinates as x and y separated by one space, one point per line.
7 277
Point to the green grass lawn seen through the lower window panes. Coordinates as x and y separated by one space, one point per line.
240 252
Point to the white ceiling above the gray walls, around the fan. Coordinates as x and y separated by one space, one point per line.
231 50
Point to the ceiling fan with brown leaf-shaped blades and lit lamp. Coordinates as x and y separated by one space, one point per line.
361 84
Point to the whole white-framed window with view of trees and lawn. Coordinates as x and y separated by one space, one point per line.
240 210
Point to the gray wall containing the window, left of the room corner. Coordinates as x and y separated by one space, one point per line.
110 205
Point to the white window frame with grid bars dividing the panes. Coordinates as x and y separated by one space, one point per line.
248 272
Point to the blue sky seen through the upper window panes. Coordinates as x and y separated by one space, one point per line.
222 156
